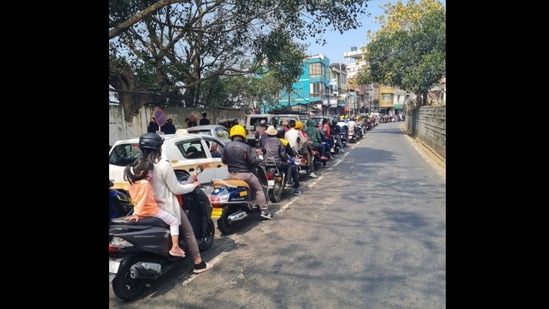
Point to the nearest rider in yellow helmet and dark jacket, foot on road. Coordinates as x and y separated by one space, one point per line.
241 161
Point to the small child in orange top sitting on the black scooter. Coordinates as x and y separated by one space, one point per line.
142 196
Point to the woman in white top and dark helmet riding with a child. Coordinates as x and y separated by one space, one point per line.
166 187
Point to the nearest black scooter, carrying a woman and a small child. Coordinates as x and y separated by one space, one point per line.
138 250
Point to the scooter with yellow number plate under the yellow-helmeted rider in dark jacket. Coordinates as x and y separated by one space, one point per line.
235 199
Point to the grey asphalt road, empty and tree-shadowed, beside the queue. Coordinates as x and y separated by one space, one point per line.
370 232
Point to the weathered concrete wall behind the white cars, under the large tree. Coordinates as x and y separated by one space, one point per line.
120 129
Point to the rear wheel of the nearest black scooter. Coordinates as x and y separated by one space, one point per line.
124 286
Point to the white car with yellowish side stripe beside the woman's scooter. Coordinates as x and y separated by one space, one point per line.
184 151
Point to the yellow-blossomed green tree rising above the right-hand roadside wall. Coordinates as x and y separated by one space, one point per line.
409 51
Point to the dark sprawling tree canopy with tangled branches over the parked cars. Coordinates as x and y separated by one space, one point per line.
193 41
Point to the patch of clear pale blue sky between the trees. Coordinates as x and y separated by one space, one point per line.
337 44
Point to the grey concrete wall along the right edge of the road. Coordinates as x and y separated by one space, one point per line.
428 125
